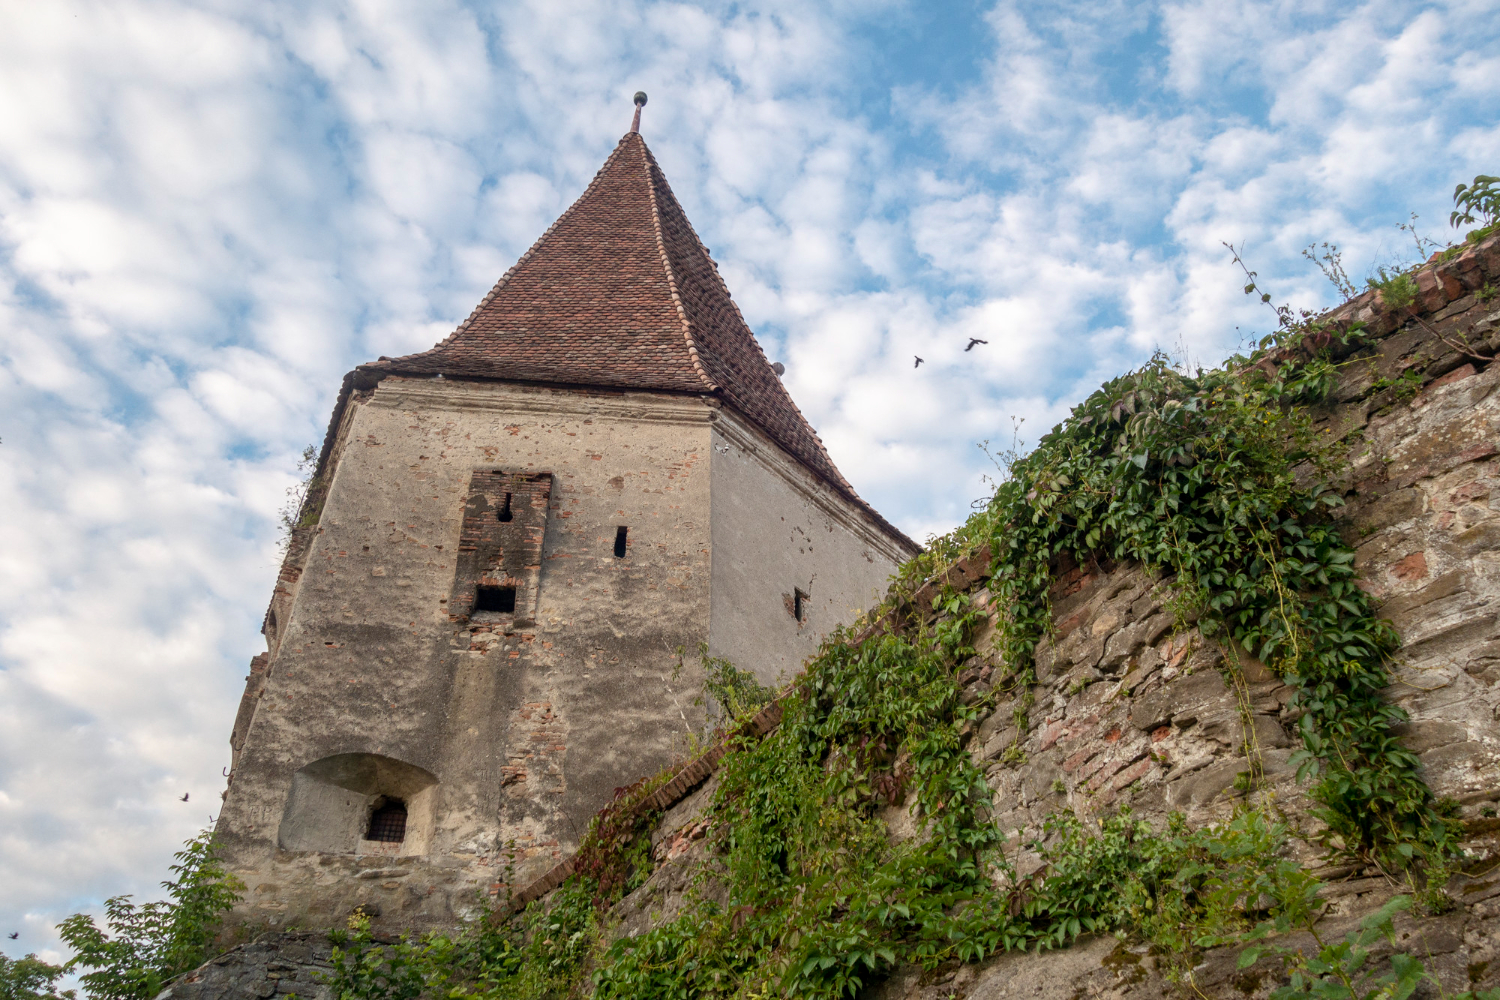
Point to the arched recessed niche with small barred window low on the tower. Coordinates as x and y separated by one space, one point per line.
359 804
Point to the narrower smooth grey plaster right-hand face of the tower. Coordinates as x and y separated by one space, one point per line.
776 531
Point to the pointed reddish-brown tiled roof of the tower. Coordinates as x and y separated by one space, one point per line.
620 293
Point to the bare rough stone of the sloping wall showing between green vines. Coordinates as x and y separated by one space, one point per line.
1138 708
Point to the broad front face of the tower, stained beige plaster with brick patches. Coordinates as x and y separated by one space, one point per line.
505 728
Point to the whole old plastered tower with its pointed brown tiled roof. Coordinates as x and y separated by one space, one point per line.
514 549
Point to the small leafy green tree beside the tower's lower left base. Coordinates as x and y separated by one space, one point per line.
149 945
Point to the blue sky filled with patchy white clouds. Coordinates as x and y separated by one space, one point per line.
211 211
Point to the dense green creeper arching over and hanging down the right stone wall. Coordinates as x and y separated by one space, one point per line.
1199 478
